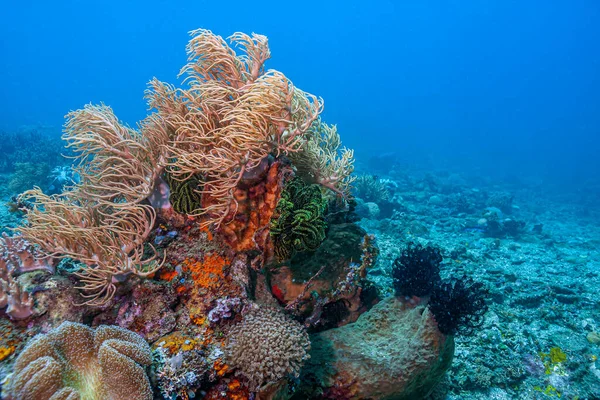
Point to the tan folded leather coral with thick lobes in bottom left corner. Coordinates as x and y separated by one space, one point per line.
75 362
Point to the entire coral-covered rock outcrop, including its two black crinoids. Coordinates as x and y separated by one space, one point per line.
213 253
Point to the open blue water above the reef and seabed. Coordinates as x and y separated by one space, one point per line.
500 87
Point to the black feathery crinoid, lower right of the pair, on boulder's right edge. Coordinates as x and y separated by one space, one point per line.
458 305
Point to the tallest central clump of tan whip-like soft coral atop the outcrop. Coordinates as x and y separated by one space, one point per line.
232 116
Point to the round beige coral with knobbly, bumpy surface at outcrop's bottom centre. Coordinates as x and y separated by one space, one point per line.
267 346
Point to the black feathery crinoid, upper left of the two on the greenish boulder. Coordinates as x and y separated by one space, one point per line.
417 271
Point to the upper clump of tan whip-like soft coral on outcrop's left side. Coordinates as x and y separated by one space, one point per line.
116 163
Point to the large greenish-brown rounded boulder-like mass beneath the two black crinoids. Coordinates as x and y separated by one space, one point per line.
394 351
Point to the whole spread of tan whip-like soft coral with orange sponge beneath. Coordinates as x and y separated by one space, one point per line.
229 147
